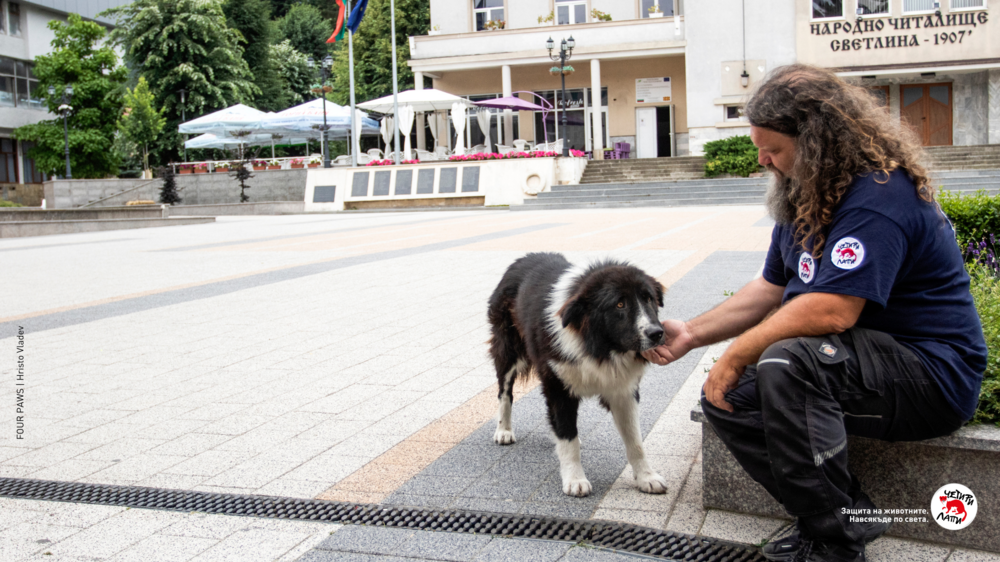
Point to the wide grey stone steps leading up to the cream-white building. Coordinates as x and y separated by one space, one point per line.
668 182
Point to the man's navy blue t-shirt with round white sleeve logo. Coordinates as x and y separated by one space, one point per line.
888 246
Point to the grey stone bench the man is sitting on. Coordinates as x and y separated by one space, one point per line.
895 475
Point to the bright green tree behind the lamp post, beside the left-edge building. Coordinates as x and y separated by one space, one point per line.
97 80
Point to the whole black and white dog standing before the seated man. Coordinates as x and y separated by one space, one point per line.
582 329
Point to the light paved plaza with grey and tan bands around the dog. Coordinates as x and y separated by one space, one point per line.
340 357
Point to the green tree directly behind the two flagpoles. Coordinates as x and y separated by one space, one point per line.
373 50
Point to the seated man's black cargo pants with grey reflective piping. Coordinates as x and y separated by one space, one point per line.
795 408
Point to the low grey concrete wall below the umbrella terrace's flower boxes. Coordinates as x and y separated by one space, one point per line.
194 189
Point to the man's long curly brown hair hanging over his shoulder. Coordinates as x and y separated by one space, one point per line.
840 132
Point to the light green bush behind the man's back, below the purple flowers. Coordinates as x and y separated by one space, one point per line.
985 288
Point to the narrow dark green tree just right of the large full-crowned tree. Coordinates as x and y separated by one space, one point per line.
252 18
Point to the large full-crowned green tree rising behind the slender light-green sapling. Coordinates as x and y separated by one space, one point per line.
183 44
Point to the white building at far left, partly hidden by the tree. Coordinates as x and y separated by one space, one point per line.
24 34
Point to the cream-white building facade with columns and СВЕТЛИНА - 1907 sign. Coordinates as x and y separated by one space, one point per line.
669 82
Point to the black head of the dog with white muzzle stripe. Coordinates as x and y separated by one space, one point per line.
615 308
